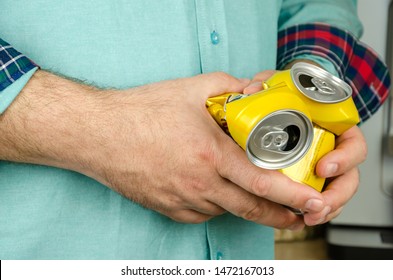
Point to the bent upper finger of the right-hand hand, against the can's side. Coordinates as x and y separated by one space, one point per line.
350 151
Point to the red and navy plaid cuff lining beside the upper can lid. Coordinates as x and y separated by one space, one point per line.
356 63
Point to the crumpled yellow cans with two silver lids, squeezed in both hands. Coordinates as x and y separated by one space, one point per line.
291 123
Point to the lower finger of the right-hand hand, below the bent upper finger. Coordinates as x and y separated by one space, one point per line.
337 194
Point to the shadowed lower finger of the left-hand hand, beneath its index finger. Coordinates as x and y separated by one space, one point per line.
252 208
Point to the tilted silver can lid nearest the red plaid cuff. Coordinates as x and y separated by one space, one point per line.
318 84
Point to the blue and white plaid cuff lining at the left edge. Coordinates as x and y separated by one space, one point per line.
13 65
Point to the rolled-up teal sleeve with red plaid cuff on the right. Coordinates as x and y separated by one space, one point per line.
333 42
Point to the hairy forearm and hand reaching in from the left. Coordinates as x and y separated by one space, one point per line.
157 145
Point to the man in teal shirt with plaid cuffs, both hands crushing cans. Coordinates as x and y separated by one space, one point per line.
121 160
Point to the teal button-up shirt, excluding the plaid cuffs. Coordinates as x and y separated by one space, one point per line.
50 213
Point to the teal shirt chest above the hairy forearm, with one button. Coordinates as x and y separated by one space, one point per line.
129 43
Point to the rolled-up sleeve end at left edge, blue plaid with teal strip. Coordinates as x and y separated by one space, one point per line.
15 71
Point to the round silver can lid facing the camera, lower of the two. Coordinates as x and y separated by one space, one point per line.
280 139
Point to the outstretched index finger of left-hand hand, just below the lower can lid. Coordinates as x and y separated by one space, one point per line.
269 184
